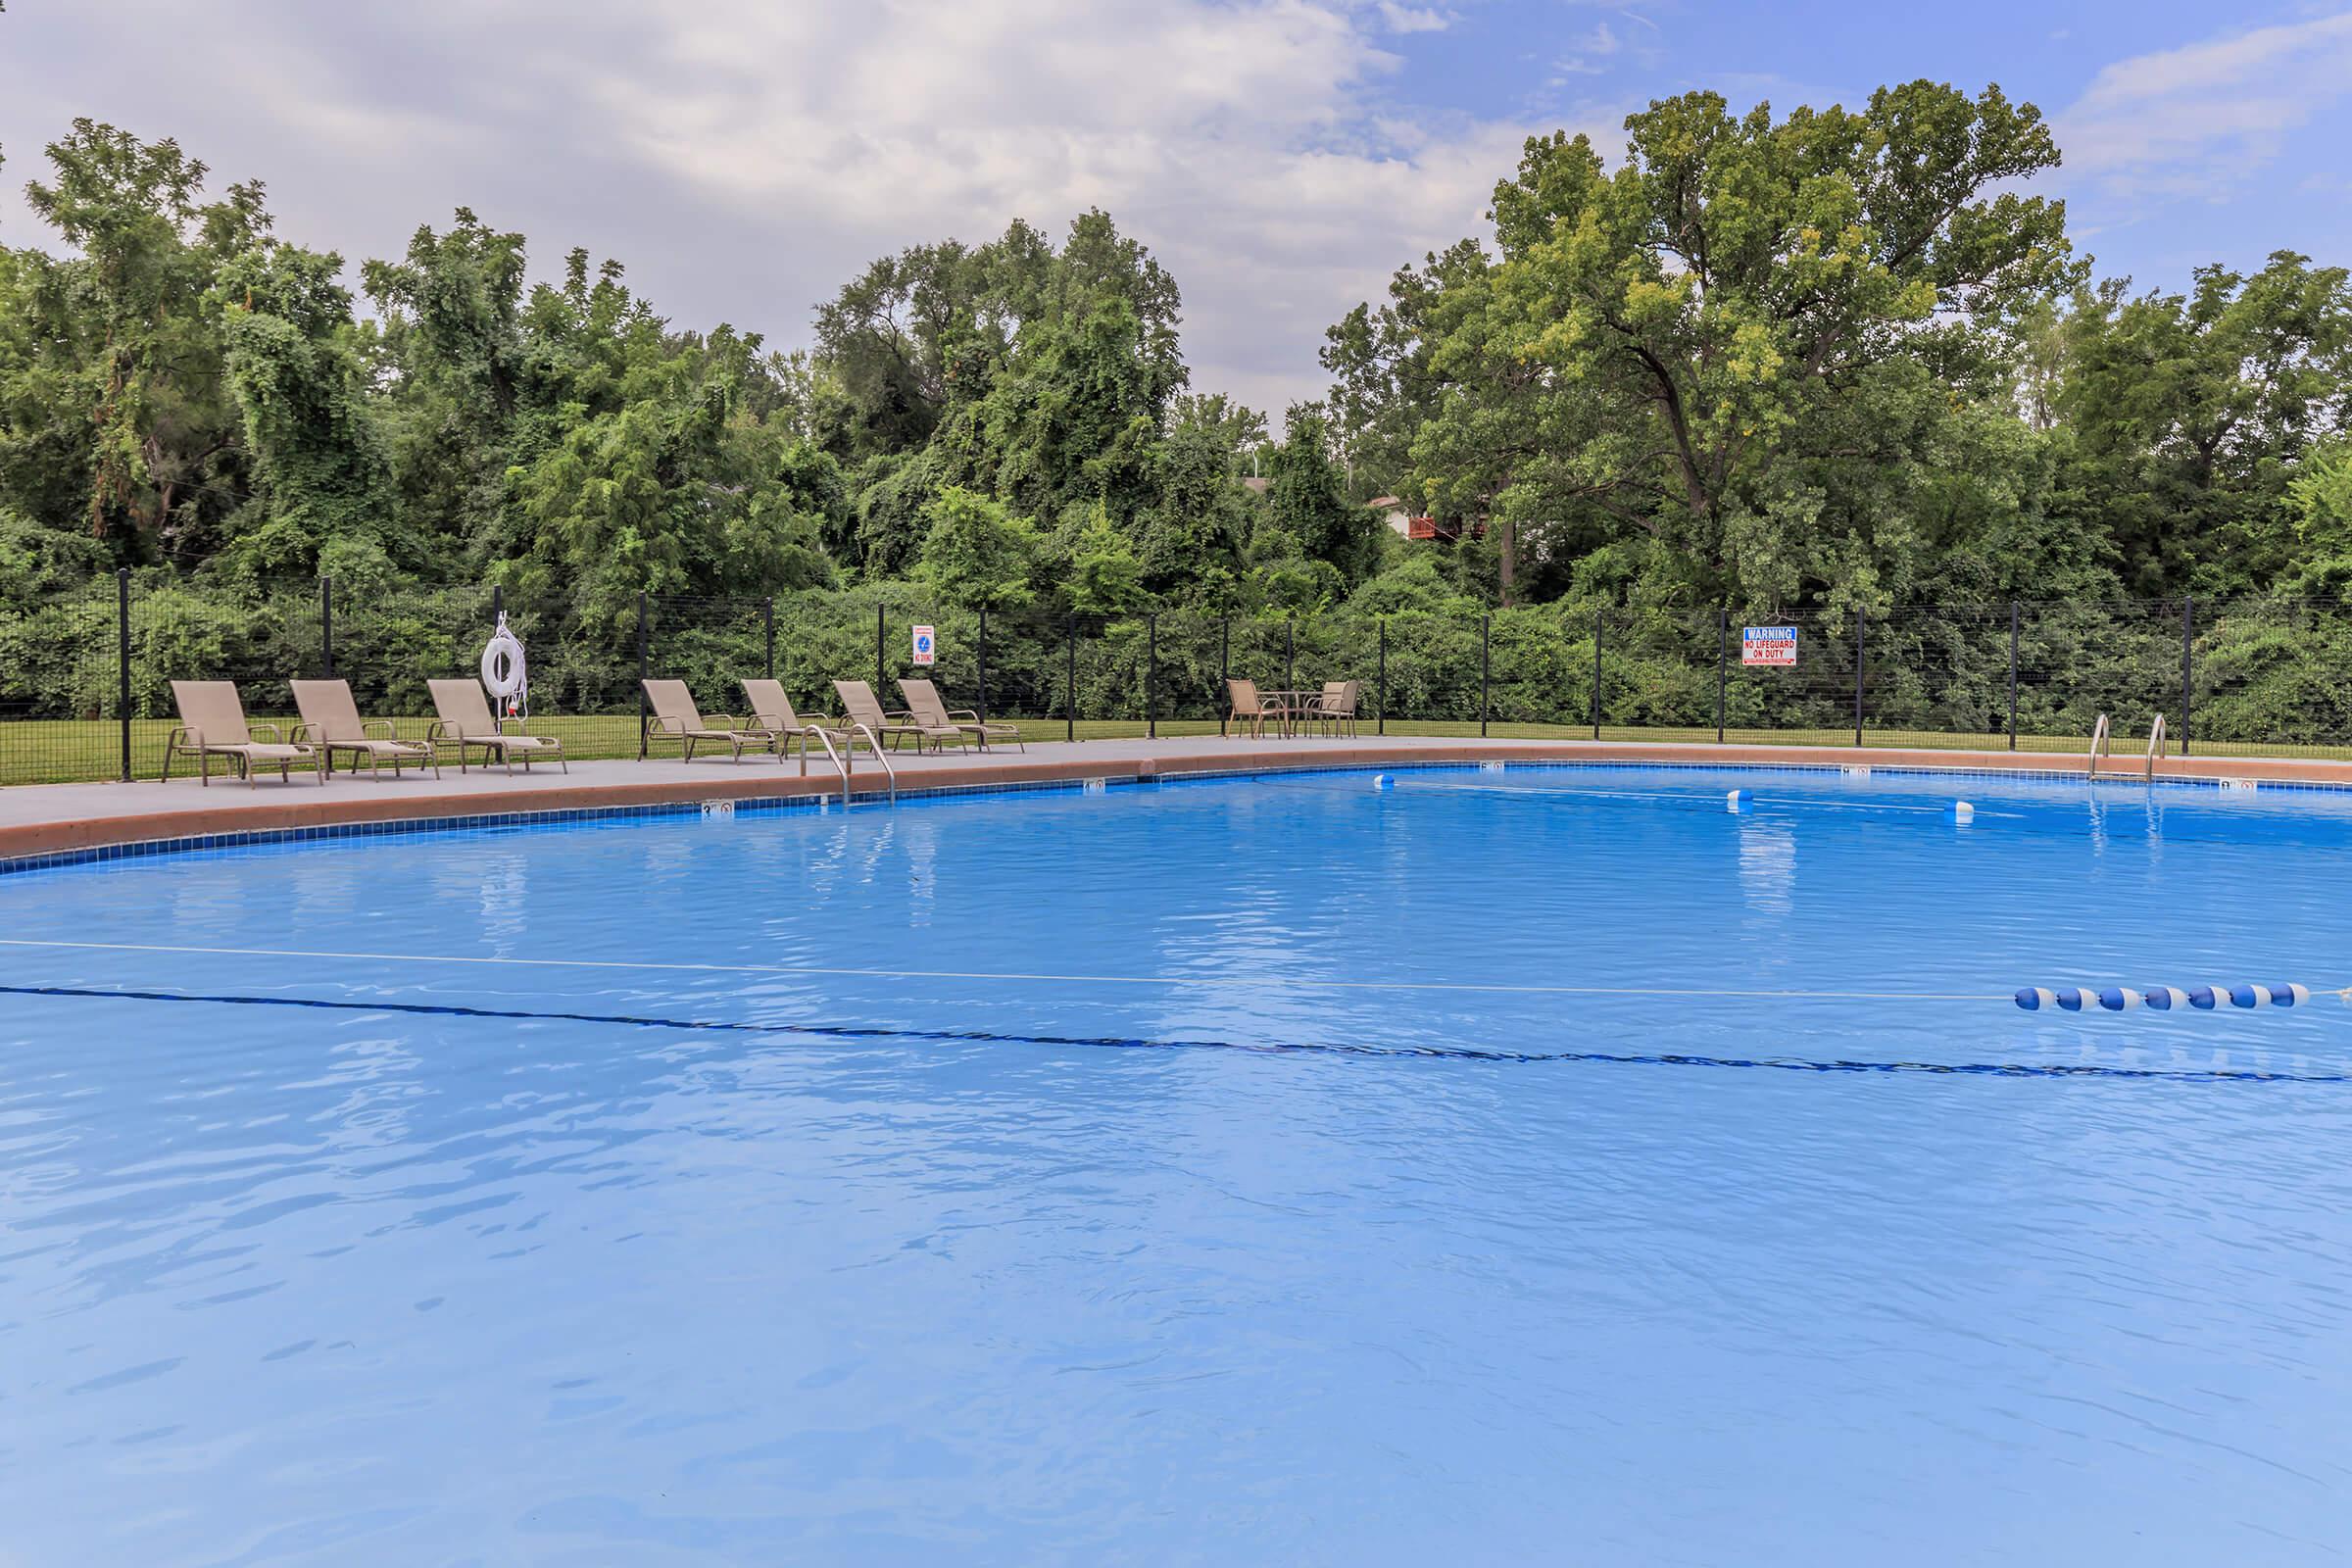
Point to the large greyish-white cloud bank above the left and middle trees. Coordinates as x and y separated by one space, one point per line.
744 156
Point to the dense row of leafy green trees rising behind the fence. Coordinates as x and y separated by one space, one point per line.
1831 359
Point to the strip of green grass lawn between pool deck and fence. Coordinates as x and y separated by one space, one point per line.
79 751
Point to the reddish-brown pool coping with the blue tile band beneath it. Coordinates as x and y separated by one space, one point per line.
220 826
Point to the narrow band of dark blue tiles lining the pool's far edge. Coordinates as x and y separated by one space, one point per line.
516 822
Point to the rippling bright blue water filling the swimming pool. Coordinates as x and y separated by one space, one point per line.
1234 1172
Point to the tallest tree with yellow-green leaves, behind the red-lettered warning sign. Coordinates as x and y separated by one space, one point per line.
1704 319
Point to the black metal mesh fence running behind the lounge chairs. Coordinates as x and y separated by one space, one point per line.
86 681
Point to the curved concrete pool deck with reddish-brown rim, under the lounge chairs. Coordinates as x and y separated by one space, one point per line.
51 819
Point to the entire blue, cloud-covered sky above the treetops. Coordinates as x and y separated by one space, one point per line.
1283 156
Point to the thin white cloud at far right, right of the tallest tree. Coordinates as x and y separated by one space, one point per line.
2184 119
